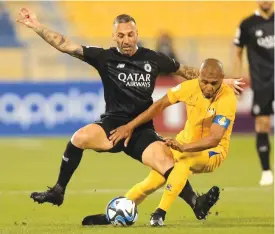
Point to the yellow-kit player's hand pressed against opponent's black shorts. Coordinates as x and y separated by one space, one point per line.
122 132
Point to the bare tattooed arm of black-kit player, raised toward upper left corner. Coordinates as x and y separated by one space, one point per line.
55 39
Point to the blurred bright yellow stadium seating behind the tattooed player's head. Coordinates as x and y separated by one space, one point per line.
181 18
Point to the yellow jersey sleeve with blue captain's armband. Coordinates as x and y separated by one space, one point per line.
226 111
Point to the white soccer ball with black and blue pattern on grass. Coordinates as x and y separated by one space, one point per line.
121 212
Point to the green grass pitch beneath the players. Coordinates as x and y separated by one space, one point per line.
31 164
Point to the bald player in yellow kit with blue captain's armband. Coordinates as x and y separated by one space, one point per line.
203 144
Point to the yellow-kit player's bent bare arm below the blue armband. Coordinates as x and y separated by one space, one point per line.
211 141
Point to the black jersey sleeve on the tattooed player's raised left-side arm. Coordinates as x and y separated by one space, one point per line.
92 55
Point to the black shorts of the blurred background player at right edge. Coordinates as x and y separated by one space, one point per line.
263 102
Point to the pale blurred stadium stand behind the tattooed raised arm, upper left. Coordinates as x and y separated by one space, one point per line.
38 60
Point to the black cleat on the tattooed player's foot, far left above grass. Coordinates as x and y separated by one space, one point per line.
53 195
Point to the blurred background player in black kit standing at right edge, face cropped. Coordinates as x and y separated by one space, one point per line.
256 33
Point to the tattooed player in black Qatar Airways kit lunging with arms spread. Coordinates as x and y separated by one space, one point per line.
128 75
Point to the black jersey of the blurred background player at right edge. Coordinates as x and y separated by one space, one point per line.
257 34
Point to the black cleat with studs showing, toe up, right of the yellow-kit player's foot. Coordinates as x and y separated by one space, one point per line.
205 202
